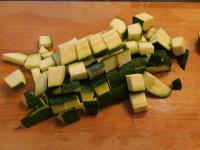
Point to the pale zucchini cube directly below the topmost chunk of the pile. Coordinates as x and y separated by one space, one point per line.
134 32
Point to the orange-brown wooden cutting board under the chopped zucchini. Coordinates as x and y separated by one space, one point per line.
171 123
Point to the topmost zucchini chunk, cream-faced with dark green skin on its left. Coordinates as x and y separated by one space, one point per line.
144 19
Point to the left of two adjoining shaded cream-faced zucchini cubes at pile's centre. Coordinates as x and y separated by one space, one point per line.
110 63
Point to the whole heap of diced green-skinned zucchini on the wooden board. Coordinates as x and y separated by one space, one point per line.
98 70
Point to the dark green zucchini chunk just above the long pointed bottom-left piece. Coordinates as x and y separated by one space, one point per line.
30 101
